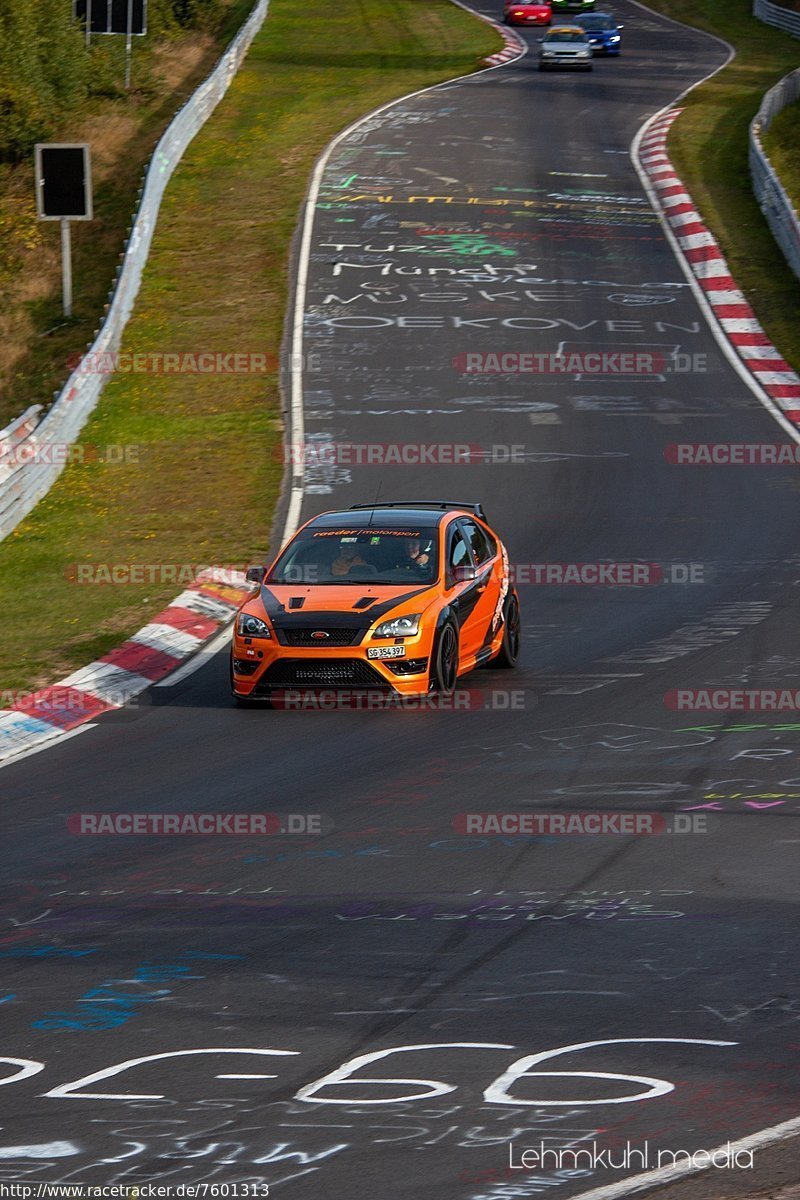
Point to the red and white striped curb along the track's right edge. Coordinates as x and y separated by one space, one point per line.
708 265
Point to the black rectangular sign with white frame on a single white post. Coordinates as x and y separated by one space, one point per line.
64 194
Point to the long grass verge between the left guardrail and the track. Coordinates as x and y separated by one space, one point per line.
209 447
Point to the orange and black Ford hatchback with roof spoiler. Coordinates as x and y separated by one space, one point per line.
402 598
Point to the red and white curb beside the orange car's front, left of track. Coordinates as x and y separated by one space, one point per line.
161 646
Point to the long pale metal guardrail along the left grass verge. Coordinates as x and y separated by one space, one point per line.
29 466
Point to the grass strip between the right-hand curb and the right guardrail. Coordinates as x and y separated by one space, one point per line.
708 145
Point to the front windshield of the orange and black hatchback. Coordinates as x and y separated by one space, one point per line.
359 556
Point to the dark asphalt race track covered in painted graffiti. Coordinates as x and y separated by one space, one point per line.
393 931
